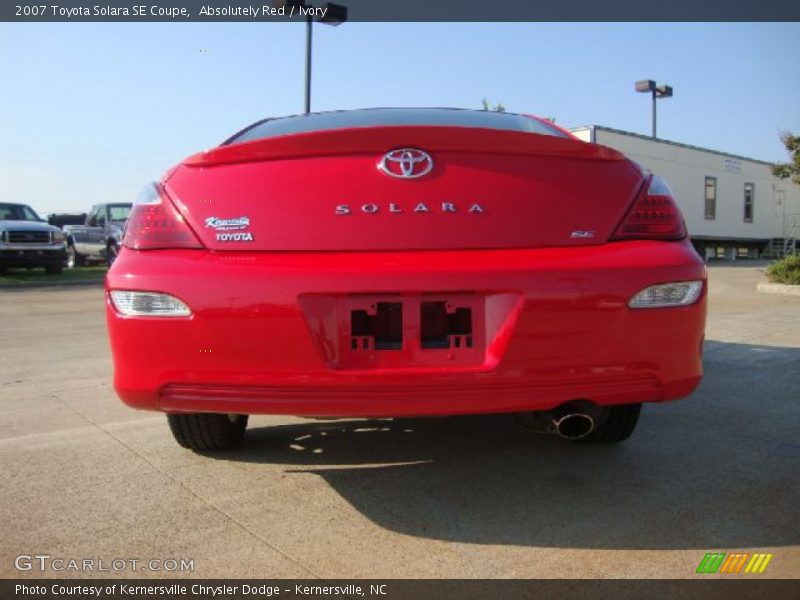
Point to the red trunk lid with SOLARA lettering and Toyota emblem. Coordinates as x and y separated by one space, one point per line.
324 191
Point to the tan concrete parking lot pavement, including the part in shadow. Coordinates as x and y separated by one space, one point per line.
86 477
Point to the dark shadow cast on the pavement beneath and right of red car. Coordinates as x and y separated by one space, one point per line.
717 470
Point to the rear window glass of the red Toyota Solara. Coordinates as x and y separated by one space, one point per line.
378 117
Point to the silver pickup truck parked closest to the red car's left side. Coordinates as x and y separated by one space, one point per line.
99 239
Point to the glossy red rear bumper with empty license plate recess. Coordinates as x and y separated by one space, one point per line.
554 327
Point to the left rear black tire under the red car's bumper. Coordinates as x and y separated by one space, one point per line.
207 431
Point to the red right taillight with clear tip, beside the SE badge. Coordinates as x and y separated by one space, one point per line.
653 216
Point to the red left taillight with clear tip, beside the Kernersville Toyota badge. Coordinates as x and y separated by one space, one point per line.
154 222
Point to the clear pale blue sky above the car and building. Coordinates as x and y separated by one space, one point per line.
91 112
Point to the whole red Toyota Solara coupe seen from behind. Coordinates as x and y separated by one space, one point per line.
405 262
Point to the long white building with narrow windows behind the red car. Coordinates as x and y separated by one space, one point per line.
733 205
